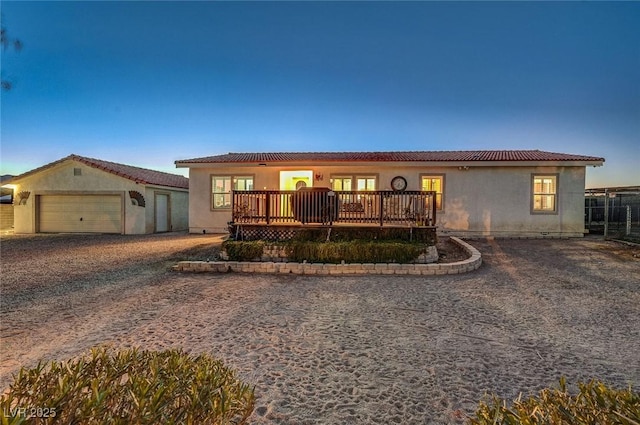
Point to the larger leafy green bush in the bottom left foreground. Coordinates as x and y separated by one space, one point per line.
129 387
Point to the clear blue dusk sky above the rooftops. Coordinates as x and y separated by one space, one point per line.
147 83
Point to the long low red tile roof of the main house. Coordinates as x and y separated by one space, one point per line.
413 156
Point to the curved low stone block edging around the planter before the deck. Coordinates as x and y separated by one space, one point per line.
472 263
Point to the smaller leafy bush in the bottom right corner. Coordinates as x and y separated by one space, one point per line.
594 404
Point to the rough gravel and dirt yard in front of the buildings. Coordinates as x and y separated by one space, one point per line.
336 349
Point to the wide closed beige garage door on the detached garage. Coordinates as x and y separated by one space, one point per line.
80 213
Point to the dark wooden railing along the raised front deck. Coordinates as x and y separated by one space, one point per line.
320 205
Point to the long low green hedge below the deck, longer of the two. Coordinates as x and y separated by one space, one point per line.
354 252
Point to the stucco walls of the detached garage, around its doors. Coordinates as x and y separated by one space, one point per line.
60 179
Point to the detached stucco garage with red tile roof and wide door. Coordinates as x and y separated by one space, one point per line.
84 195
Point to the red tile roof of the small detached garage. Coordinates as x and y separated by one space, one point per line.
137 174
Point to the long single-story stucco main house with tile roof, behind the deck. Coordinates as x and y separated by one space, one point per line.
505 193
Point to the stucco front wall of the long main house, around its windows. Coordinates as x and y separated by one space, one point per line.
478 201
